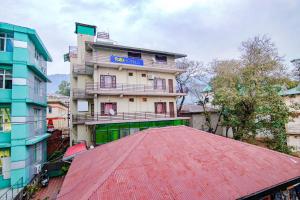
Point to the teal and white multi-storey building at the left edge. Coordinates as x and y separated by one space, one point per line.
23 102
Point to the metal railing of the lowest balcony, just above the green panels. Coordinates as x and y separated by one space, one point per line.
120 116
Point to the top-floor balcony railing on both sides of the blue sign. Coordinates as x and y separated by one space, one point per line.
96 57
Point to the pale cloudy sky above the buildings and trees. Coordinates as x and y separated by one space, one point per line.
202 29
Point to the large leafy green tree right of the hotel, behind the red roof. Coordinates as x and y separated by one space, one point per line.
247 91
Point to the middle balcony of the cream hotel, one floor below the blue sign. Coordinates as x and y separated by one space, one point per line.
130 90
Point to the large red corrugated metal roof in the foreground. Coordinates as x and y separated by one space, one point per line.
175 163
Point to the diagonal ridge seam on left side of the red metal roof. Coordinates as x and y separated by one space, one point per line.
116 164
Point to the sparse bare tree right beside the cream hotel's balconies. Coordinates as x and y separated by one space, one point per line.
183 80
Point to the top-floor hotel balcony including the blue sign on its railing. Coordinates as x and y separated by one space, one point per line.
145 64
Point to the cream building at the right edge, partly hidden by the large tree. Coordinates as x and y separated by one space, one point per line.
292 97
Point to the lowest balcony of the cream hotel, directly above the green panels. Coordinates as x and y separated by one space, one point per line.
100 118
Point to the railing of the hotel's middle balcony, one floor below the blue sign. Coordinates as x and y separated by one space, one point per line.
96 87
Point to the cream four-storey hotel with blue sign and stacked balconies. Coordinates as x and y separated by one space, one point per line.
117 90
